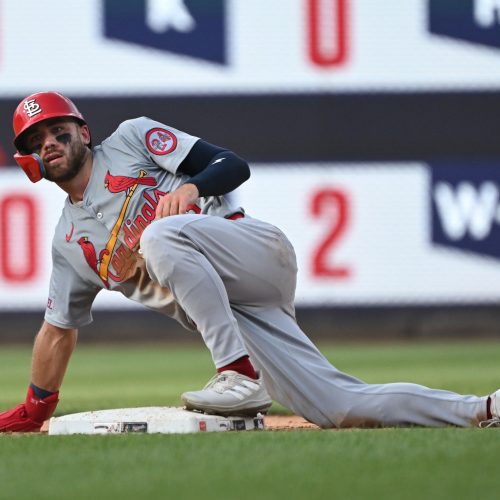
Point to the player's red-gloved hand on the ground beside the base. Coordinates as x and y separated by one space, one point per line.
29 416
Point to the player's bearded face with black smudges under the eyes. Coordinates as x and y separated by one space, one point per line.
62 145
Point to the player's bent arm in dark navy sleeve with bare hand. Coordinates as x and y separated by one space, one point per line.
214 171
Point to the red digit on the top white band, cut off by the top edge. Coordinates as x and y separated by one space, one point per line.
327 32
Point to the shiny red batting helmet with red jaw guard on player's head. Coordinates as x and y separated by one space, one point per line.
34 109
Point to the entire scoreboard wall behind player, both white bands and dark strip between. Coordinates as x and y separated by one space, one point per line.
371 128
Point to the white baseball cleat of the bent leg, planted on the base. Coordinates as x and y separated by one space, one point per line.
229 393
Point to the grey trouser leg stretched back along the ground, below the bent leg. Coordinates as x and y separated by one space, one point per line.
298 376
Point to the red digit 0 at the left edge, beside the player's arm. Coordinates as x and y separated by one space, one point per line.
18 238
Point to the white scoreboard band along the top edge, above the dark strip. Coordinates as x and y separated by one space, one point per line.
190 46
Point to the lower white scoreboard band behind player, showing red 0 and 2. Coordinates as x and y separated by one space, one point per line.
364 234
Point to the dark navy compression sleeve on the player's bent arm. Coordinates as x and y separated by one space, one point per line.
214 170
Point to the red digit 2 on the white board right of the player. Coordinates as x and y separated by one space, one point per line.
334 203
